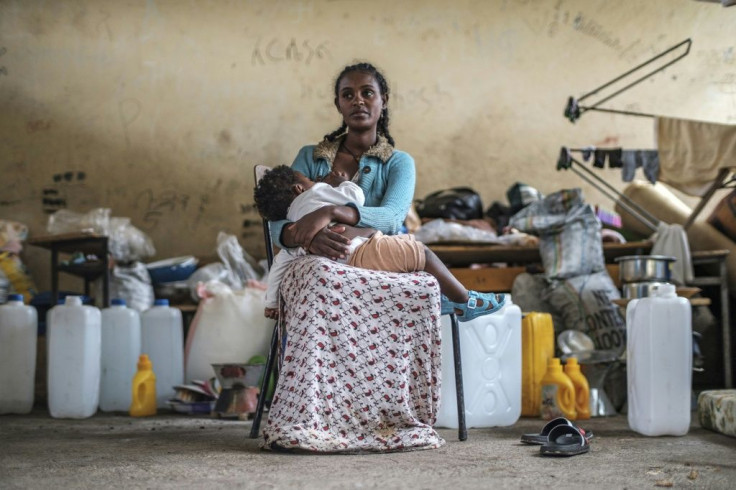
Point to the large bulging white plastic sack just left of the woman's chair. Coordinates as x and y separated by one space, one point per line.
228 327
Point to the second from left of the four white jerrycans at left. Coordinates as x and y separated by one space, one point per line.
74 348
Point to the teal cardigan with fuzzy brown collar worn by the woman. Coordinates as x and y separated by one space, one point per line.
387 177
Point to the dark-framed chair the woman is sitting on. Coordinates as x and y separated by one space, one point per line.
259 171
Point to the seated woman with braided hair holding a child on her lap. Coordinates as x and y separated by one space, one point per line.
361 364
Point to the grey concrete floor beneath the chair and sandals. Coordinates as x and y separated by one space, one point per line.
183 451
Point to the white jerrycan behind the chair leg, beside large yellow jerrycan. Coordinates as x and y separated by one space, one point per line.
490 349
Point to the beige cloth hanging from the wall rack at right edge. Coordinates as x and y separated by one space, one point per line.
691 153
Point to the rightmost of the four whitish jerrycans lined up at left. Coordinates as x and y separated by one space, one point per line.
162 338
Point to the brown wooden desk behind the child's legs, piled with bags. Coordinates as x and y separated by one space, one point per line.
487 275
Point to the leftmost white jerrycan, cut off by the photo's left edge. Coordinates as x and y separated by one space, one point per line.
18 335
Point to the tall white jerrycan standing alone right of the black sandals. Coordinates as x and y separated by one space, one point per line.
659 358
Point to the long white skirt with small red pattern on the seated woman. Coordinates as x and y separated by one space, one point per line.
361 364
